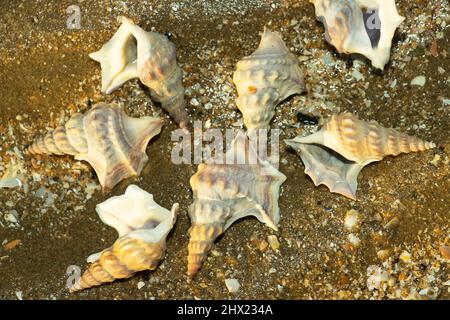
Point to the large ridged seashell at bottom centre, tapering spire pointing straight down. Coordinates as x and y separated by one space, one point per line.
224 193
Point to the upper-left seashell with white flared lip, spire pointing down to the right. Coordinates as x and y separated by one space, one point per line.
135 53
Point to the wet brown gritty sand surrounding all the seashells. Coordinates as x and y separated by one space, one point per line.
403 201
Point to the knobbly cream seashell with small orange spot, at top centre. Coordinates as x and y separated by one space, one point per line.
266 78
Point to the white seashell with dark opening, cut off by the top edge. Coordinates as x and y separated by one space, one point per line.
360 26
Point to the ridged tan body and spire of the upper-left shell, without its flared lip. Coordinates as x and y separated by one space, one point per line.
158 69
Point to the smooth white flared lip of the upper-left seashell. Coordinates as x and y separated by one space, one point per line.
118 59
